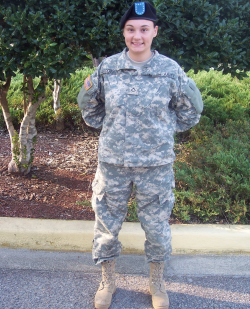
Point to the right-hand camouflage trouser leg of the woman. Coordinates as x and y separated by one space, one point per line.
155 200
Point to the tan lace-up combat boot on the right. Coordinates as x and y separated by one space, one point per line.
156 286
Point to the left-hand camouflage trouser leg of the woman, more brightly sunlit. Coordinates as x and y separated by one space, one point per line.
111 191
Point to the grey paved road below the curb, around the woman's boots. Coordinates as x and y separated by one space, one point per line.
63 280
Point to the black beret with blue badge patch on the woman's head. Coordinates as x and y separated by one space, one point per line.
139 10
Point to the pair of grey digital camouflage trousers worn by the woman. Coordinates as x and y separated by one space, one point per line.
112 188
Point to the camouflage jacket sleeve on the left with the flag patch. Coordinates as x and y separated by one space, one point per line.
91 100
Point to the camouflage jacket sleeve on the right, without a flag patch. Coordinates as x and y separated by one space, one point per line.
187 104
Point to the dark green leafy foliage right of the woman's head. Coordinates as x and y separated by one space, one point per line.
204 34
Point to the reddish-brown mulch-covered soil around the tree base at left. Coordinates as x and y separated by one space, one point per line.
59 181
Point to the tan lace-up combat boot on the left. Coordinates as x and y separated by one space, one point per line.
107 287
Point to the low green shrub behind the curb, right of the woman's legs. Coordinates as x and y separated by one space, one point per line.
212 173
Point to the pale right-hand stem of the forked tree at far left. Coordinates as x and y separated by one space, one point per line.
23 149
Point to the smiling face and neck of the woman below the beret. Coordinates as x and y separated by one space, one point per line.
139 34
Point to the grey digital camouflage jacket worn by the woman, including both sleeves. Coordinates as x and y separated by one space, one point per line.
139 109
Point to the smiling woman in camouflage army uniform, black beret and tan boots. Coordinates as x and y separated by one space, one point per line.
140 99
